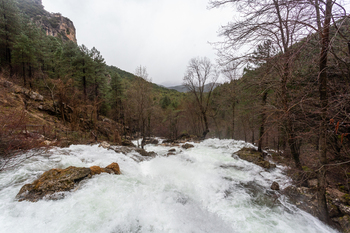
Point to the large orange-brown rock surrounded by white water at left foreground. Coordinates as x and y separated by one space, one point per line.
60 180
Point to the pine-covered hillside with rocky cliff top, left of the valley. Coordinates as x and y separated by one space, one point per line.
36 54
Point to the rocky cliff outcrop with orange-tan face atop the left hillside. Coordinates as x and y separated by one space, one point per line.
54 24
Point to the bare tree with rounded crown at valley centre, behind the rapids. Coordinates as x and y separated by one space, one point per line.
200 79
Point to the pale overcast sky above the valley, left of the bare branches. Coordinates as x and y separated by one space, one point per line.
162 35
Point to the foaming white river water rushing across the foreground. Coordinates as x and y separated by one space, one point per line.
203 189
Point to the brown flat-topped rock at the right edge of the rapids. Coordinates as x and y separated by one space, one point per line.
254 156
